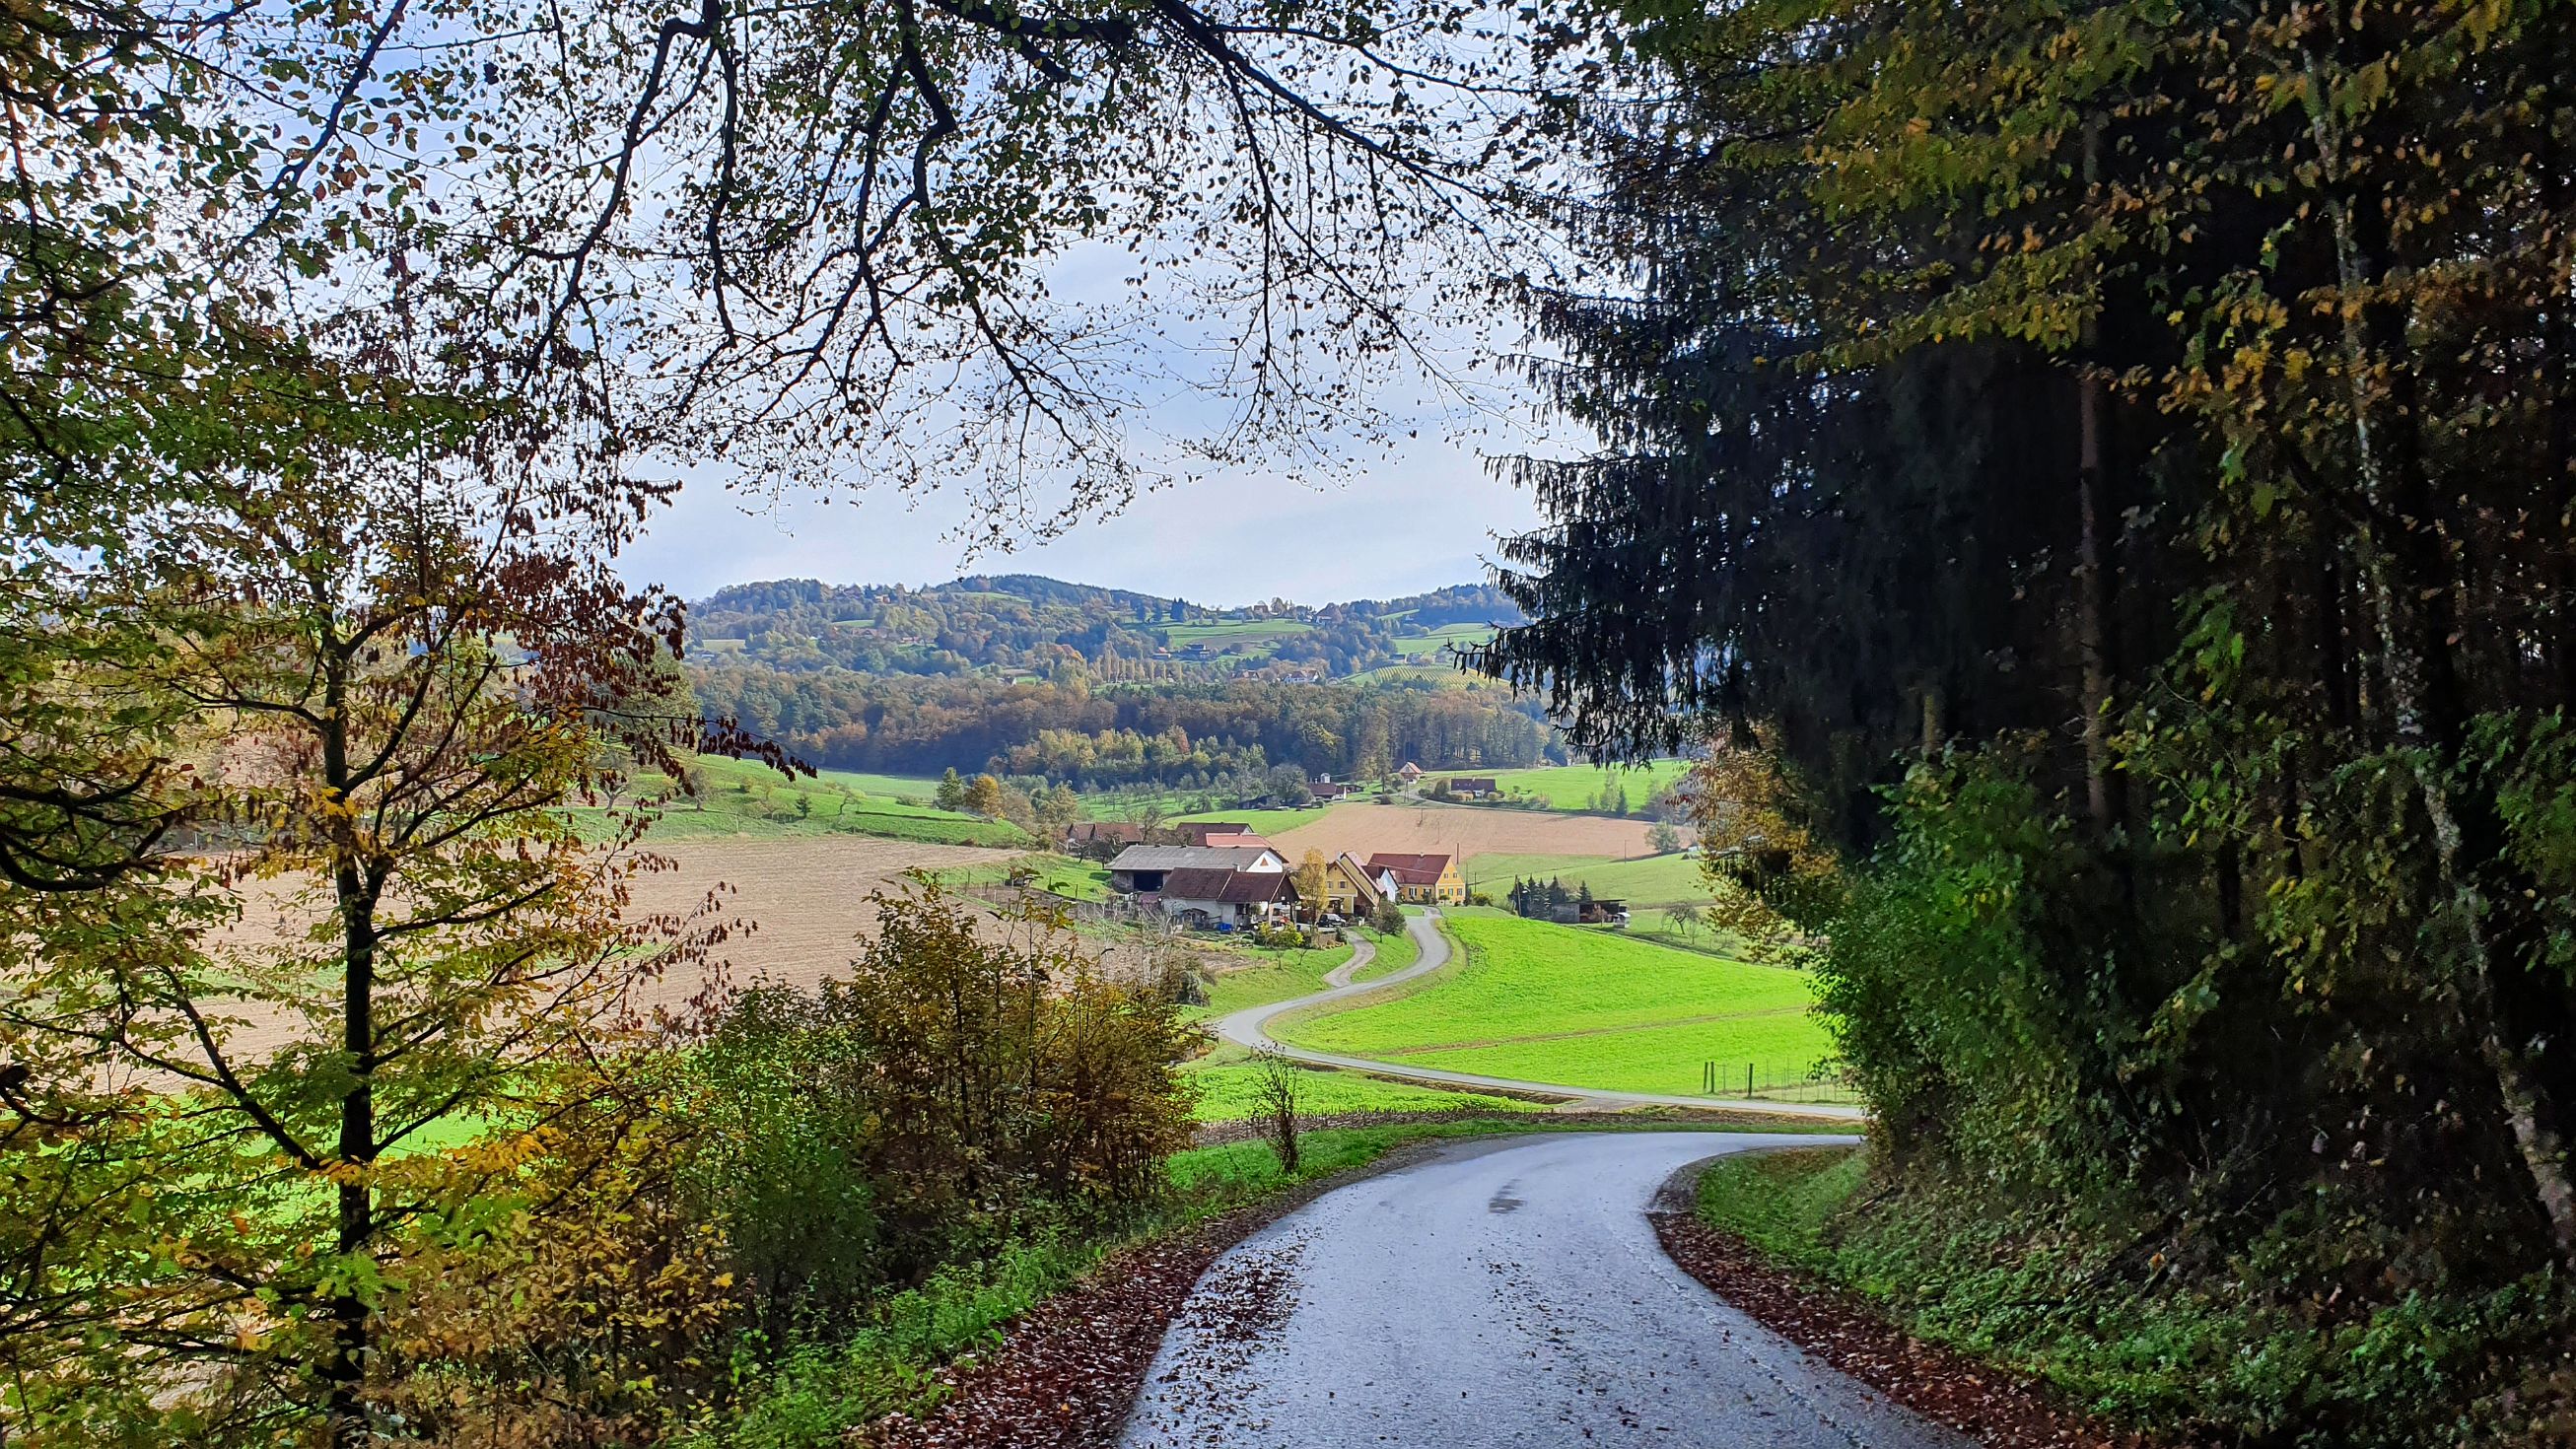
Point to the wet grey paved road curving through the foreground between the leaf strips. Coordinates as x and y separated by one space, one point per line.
1503 1293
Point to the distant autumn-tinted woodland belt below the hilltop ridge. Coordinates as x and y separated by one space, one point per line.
1124 735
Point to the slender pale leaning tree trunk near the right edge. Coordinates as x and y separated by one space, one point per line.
2407 670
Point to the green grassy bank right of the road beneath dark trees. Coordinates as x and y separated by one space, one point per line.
2057 1298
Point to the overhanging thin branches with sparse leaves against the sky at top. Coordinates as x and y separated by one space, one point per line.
841 243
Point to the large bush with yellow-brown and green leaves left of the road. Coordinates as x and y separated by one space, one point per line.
787 1198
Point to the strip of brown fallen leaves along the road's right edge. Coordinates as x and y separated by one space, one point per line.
1982 1401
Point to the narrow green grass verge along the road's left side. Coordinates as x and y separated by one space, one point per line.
900 1360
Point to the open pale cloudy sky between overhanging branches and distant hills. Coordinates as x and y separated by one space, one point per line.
1410 508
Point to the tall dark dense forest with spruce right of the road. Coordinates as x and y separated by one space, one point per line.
2114 465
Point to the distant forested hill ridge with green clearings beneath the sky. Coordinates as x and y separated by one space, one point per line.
1032 627
